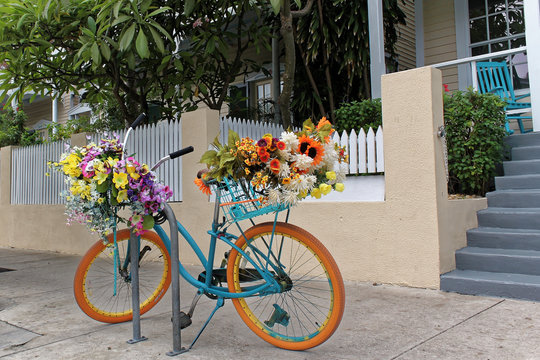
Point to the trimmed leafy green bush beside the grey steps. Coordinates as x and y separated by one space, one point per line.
474 136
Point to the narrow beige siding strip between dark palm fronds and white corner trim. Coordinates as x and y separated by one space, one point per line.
406 43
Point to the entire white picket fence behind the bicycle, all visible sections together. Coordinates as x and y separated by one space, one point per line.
30 185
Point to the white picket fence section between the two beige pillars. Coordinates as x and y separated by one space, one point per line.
366 155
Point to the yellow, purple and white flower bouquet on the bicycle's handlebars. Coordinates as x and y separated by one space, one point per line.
101 182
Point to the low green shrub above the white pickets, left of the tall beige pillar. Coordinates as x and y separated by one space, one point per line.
358 114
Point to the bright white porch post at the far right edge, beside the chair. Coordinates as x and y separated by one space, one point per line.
532 29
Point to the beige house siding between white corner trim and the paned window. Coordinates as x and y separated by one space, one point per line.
440 37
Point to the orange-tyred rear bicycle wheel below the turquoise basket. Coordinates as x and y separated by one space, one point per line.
310 305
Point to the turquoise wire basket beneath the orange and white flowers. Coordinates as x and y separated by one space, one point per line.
239 201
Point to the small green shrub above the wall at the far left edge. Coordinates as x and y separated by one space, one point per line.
12 130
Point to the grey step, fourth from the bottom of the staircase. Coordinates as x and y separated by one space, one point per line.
512 218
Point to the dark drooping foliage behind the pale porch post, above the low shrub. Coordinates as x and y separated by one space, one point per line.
342 37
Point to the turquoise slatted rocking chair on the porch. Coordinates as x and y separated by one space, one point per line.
493 77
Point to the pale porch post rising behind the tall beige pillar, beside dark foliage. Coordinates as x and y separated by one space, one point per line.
376 46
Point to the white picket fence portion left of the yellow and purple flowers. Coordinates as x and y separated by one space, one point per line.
29 182
